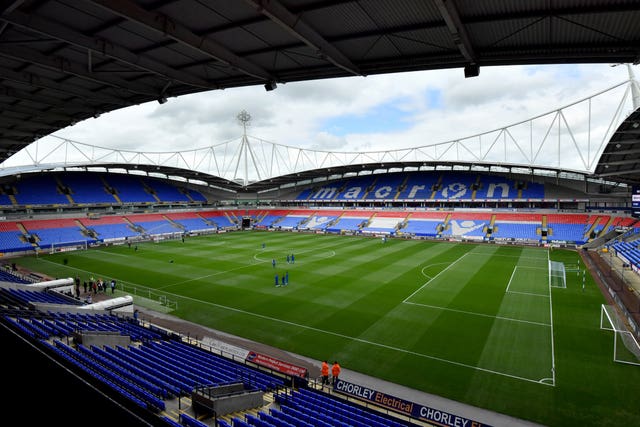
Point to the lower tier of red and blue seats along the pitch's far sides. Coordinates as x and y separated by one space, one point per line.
538 228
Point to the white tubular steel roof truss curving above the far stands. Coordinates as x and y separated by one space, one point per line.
568 136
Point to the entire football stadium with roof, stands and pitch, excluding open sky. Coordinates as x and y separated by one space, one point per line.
491 280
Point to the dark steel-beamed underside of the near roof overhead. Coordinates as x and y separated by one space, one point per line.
63 61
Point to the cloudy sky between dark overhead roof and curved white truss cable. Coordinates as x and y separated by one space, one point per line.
371 113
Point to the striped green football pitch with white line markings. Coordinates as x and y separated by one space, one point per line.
480 324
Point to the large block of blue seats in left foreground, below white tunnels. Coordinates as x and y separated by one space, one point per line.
147 372
